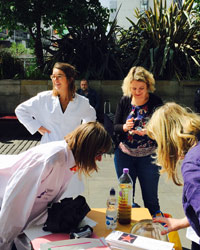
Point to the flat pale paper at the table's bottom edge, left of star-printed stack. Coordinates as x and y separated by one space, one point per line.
75 244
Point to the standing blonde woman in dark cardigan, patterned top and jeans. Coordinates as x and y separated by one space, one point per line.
135 148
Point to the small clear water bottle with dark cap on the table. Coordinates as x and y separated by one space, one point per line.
111 211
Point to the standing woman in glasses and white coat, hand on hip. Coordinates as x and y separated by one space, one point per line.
57 112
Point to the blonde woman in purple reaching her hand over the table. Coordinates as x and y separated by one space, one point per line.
177 133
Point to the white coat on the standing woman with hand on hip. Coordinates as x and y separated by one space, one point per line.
45 110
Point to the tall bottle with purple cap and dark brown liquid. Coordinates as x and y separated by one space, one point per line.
125 197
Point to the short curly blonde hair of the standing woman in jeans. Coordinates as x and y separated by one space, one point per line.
139 74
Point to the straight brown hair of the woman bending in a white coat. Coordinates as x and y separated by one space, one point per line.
86 141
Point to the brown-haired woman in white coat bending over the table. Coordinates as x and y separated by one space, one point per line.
40 175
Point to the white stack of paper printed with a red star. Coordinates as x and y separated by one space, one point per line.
126 241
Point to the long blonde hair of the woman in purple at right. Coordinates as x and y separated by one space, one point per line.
175 130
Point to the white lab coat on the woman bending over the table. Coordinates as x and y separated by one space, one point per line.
28 182
